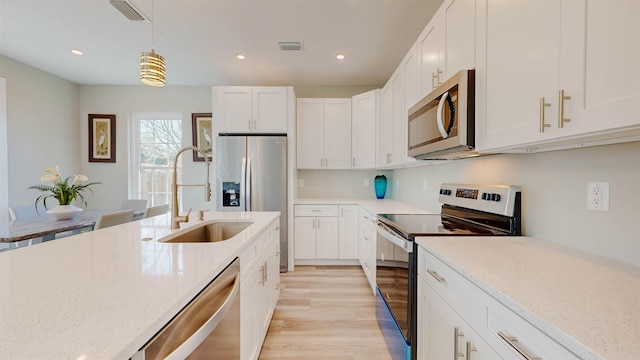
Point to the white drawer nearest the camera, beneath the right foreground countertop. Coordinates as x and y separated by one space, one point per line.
509 334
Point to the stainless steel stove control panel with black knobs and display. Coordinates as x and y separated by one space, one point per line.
497 199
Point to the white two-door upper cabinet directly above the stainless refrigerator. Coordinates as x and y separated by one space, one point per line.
246 109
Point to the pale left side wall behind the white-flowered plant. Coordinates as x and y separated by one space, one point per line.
42 127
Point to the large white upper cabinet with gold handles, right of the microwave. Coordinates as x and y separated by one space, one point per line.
554 74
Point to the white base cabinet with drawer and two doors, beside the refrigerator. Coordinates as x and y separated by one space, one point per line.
316 232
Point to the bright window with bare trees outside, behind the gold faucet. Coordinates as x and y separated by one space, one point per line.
155 140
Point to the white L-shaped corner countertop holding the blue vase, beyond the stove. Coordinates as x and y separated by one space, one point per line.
374 206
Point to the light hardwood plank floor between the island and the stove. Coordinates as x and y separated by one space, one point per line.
325 312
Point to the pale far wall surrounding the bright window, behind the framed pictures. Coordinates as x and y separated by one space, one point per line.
124 100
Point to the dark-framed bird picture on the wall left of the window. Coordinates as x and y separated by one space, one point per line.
102 138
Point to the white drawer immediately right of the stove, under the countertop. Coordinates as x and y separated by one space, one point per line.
448 283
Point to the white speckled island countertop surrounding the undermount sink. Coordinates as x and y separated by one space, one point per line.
104 294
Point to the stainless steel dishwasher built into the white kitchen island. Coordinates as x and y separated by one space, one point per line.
207 328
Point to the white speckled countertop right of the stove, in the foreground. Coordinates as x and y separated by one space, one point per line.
588 304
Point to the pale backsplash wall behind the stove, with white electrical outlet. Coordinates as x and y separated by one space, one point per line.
554 194
